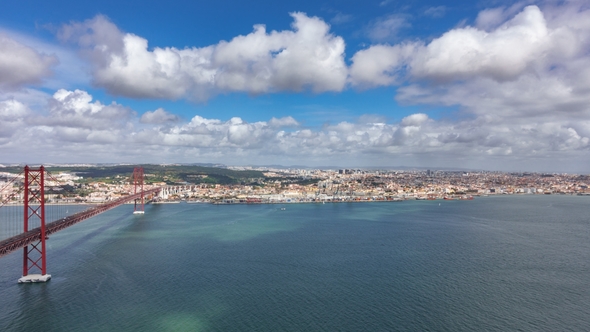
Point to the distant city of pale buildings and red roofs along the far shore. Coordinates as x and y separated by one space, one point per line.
289 185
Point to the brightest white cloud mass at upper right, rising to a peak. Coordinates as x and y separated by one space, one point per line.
503 54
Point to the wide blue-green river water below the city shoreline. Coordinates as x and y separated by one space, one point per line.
494 264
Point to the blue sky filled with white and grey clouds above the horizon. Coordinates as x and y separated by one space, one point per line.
491 85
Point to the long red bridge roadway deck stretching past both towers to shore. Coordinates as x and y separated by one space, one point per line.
19 241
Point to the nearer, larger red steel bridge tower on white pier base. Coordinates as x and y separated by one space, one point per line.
34 256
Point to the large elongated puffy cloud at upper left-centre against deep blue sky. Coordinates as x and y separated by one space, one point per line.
308 57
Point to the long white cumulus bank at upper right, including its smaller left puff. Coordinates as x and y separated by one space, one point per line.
521 44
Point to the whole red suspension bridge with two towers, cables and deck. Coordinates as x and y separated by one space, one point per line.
28 189
